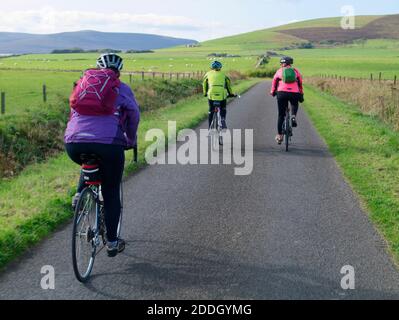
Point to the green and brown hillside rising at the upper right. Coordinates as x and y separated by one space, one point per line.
320 30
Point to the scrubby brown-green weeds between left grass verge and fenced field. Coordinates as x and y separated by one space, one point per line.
37 133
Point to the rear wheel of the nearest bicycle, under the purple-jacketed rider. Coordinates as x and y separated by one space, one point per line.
84 234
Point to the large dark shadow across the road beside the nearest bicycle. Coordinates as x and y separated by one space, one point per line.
172 270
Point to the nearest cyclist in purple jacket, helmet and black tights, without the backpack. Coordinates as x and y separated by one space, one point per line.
107 136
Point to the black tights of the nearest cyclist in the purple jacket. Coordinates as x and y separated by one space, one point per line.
111 166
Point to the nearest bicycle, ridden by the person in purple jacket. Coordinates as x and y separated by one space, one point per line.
89 231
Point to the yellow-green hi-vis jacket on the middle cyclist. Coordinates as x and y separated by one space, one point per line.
217 86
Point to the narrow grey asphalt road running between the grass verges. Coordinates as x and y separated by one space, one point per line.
200 232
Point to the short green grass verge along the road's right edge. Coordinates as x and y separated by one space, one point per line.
367 150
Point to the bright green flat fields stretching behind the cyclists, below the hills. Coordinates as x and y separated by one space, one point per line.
24 88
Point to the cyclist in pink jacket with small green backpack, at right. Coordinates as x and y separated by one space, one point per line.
288 87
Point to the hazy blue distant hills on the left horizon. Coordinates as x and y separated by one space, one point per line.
20 43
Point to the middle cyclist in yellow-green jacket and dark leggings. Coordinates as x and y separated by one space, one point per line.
217 87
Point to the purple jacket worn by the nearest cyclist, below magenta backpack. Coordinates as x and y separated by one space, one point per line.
120 128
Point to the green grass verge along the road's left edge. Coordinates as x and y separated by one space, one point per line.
38 200
